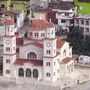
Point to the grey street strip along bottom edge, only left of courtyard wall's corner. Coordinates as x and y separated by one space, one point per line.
11 86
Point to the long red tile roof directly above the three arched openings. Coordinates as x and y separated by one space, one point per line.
34 62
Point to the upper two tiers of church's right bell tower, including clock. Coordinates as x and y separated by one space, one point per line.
50 43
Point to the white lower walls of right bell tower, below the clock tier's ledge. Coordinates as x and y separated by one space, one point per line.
51 69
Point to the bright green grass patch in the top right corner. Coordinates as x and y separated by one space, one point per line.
85 7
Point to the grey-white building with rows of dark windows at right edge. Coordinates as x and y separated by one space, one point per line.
84 23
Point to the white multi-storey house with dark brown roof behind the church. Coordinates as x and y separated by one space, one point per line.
65 11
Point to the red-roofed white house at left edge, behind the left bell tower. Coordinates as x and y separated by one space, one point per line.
17 15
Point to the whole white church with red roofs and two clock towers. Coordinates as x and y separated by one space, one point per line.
39 57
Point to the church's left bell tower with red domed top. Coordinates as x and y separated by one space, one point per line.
9 48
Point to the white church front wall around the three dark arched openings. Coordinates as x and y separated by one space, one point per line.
31 67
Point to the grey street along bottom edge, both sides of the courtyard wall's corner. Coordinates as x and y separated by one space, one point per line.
12 86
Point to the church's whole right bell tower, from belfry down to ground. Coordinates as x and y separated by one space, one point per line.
49 54
